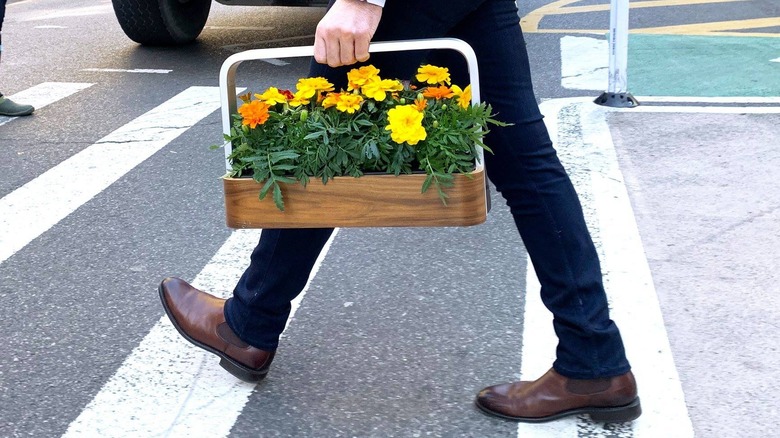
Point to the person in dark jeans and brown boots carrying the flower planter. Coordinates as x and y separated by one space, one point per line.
591 374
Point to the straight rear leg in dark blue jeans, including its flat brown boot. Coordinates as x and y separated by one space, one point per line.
591 374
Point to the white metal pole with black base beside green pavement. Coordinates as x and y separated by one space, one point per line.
617 94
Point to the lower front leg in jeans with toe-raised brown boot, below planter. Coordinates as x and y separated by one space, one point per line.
244 330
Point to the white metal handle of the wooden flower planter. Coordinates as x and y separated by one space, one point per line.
227 74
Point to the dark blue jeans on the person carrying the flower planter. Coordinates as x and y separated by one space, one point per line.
524 168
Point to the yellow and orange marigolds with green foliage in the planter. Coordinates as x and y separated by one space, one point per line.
376 125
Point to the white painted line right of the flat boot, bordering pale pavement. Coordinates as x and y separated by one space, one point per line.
629 282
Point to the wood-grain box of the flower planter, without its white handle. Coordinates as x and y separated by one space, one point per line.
368 201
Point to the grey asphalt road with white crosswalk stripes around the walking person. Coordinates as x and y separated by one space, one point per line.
400 327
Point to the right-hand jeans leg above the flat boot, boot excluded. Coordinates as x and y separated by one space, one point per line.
546 209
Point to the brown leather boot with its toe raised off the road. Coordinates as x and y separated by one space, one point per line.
199 317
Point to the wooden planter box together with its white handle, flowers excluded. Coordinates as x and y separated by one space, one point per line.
368 201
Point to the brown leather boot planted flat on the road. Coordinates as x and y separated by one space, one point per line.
553 396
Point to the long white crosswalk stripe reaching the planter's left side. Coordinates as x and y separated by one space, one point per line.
78 179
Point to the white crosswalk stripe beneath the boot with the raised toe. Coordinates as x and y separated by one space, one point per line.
166 386
